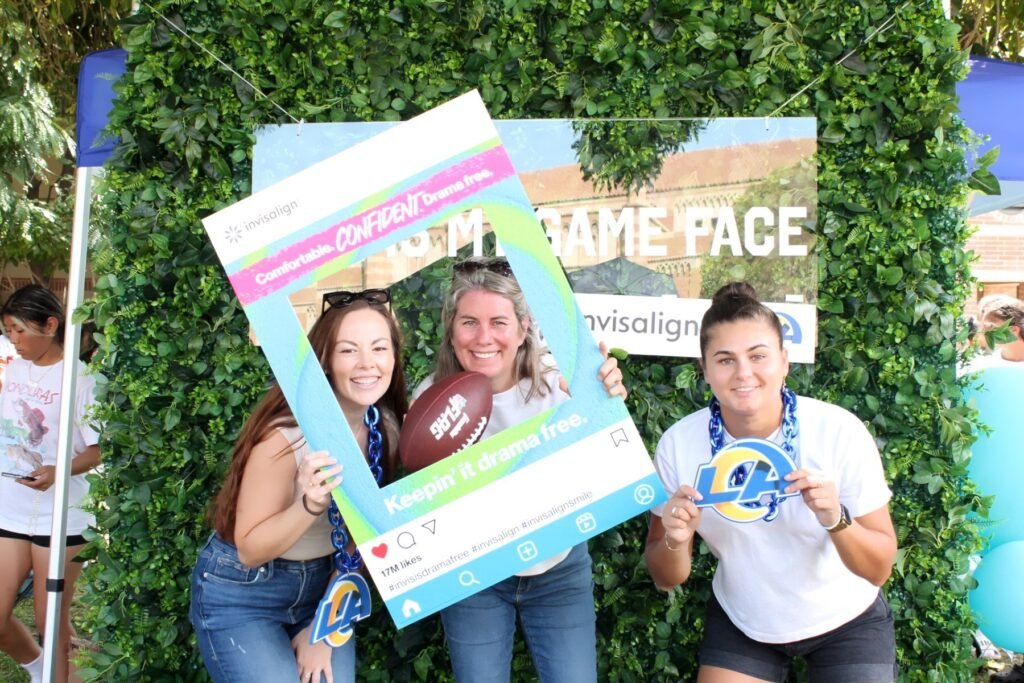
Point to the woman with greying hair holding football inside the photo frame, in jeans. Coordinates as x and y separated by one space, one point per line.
488 329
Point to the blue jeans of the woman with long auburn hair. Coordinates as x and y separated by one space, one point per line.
245 618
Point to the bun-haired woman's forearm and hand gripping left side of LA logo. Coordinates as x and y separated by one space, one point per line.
669 550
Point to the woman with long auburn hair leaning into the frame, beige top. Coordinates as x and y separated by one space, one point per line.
262 576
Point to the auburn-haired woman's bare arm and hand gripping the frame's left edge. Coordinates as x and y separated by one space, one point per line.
270 518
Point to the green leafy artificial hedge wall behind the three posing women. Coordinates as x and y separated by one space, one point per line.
893 273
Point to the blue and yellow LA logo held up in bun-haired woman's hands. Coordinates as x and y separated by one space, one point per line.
746 481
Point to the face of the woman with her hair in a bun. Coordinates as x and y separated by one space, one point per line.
746 368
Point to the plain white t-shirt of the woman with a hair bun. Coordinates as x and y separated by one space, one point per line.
783 581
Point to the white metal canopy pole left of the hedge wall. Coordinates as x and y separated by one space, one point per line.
76 291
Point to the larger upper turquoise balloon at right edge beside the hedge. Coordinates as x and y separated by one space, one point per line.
998 458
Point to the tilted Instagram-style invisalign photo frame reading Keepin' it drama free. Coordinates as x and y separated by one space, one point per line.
506 503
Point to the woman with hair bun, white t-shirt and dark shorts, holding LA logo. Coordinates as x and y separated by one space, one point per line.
796 576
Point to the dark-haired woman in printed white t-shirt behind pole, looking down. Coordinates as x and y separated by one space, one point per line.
30 413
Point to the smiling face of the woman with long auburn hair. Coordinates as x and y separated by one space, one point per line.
363 359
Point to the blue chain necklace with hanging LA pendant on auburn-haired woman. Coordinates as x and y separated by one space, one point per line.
348 599
